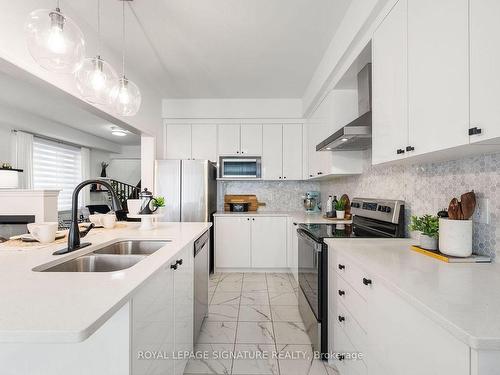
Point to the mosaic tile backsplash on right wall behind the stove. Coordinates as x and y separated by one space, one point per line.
427 188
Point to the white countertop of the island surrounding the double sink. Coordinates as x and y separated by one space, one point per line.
55 307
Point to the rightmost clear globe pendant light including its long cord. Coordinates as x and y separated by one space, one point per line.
125 96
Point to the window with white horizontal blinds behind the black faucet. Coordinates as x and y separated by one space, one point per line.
56 166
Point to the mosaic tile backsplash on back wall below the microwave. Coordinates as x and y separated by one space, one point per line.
278 195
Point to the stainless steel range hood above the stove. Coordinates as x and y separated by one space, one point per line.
356 135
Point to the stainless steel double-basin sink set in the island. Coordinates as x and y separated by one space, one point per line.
113 257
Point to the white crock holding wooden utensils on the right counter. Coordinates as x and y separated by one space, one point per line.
455 237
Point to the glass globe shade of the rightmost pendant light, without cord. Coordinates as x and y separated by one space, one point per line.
125 97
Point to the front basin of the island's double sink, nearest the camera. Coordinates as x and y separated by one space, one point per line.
97 263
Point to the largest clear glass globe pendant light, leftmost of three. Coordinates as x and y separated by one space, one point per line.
54 41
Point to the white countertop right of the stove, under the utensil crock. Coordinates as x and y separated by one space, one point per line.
464 298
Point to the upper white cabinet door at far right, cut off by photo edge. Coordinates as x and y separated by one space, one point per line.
484 62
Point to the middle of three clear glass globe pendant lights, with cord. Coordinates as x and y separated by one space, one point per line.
96 77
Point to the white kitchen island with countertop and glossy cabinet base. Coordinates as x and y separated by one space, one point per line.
49 319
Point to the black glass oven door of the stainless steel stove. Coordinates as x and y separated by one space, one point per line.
310 271
